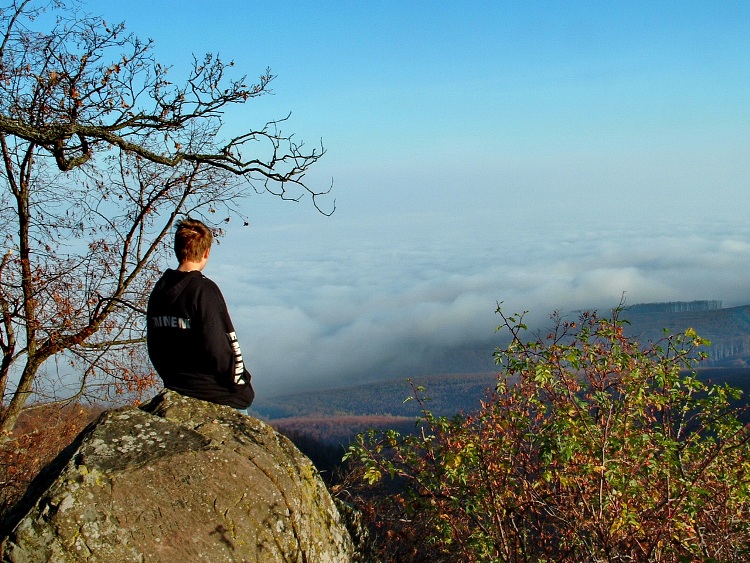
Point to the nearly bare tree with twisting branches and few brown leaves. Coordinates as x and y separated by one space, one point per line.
100 154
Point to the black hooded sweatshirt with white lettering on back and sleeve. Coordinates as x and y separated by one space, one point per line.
191 341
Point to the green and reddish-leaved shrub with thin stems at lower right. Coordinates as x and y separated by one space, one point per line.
591 448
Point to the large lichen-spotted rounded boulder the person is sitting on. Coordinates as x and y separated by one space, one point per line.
178 480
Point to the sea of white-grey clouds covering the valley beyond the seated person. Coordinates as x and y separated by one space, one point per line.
336 303
